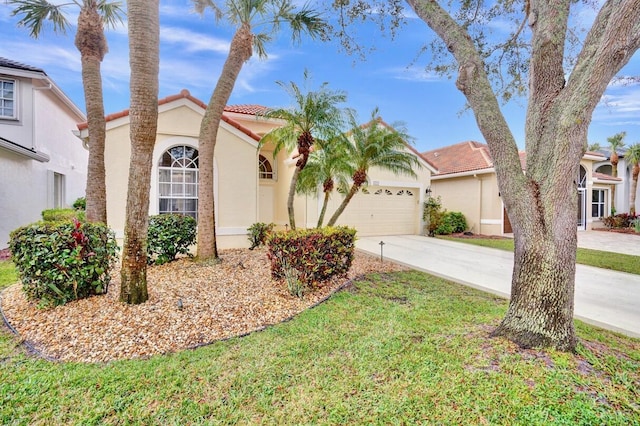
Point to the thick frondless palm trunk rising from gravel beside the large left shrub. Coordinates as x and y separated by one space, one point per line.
144 59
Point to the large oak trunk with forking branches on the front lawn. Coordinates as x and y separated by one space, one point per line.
542 202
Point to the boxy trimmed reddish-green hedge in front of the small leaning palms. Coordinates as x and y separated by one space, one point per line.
317 254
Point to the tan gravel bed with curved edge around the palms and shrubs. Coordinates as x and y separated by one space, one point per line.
232 298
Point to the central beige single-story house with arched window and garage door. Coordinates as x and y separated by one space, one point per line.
250 184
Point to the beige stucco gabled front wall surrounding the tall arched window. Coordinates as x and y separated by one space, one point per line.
235 179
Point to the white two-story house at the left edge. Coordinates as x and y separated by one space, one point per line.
42 164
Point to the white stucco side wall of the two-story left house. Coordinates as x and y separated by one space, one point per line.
45 124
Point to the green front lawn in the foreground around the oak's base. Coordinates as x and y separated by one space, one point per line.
402 348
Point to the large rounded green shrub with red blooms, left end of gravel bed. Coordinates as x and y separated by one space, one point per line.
63 261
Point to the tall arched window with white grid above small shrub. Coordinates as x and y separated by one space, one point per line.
178 181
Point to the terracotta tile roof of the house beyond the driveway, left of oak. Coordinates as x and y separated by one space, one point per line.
461 157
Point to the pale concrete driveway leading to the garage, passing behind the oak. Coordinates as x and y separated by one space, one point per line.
604 298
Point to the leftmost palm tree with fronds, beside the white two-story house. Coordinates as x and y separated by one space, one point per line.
92 44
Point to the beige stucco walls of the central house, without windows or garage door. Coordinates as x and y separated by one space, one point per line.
241 196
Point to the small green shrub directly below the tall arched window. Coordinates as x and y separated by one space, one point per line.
168 236
